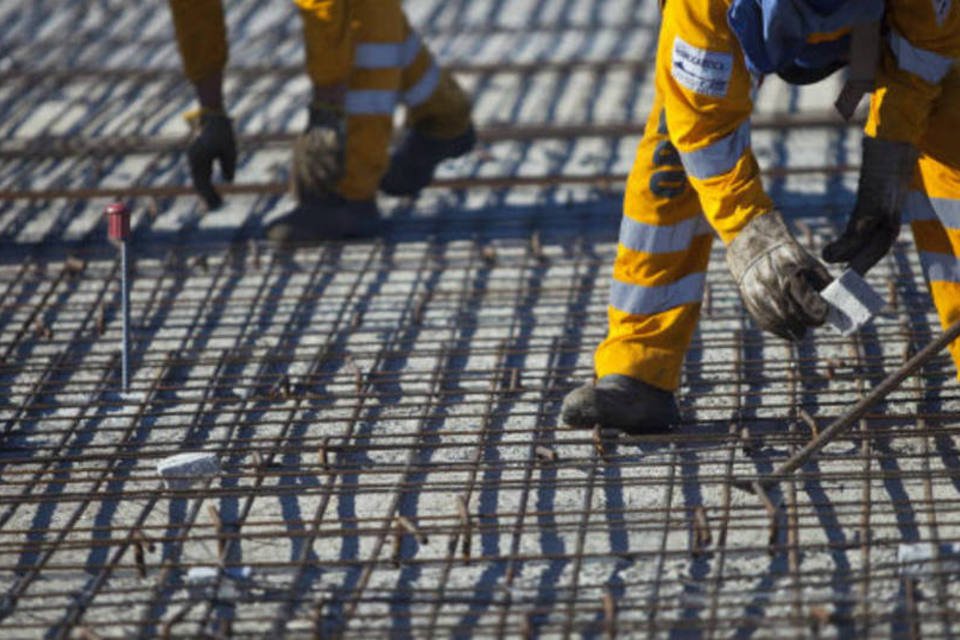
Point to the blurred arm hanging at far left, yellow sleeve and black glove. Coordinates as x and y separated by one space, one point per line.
202 40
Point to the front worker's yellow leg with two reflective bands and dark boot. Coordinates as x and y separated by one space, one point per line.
658 278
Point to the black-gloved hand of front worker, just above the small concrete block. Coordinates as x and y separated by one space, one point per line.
875 222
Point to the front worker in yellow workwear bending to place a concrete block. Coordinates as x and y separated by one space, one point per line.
695 176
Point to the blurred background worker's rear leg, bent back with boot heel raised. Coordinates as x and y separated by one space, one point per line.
438 121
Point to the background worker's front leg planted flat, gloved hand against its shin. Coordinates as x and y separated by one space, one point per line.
354 59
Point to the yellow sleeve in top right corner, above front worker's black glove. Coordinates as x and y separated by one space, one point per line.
922 44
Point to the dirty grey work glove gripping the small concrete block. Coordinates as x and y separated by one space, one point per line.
778 280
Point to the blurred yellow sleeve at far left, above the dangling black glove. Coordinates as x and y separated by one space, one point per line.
201 36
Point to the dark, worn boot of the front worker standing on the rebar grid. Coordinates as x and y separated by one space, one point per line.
621 402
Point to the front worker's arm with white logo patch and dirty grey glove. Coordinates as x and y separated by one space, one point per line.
707 101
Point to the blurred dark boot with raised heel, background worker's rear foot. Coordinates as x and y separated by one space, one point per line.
416 158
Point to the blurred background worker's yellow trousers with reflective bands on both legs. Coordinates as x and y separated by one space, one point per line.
369 46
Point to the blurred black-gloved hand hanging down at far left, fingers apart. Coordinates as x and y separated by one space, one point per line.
212 140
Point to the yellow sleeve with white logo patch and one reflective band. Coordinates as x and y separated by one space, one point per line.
706 90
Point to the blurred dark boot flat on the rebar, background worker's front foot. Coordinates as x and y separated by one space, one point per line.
331 217
